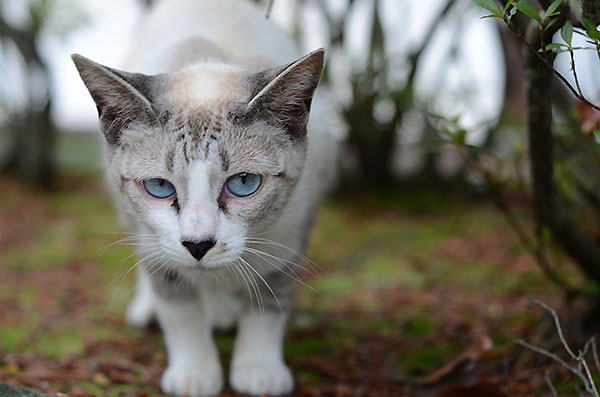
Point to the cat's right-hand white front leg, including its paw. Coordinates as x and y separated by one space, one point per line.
257 366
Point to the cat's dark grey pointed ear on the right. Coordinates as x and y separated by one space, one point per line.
286 97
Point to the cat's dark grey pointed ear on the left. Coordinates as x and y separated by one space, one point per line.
121 97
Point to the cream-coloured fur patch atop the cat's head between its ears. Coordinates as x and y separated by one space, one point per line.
205 85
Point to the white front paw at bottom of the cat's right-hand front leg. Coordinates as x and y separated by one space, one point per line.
259 378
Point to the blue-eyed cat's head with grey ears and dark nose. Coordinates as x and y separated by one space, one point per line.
207 156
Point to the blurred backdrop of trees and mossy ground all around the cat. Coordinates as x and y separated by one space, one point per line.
455 204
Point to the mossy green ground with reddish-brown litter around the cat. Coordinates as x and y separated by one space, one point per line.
412 293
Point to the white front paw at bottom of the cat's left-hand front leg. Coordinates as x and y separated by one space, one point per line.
200 381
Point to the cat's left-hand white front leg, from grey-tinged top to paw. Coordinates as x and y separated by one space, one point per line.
193 362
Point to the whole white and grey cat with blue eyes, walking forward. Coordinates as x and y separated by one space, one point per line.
213 164
